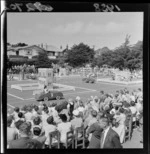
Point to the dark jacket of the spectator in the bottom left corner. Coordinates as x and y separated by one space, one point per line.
22 143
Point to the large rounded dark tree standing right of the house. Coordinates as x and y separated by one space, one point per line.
79 55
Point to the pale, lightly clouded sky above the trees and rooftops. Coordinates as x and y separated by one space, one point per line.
98 29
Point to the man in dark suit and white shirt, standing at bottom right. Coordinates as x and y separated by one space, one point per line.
109 138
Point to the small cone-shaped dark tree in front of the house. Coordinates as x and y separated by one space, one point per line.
43 61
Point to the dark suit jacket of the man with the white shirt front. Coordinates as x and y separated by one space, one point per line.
112 140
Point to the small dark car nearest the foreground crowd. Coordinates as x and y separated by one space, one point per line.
49 95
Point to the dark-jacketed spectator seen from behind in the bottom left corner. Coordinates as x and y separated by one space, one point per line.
22 142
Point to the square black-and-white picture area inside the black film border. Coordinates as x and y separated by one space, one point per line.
74 79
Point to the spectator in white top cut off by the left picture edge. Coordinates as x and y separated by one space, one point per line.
11 132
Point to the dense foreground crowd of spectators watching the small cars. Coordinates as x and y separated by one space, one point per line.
104 119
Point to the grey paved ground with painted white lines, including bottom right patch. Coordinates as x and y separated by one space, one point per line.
84 90
